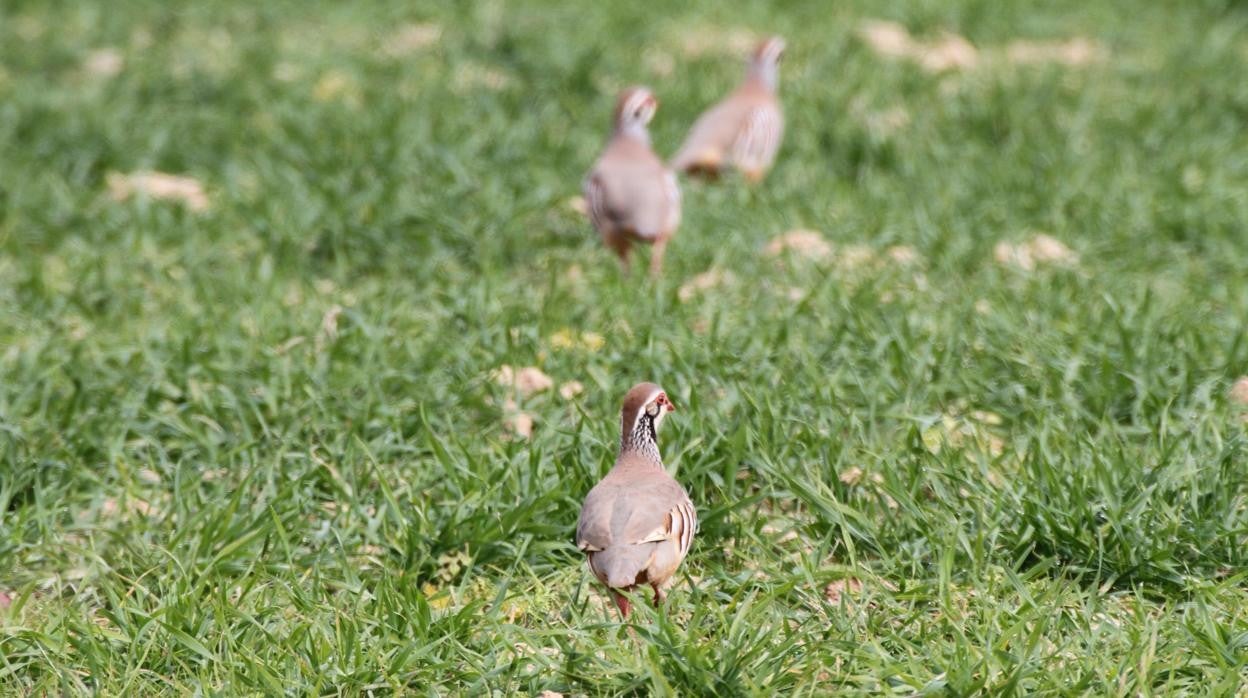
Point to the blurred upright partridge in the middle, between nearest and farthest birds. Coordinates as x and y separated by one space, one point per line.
631 194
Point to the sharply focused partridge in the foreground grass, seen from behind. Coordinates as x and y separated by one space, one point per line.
637 524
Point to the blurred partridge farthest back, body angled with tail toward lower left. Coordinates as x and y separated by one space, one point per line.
744 130
